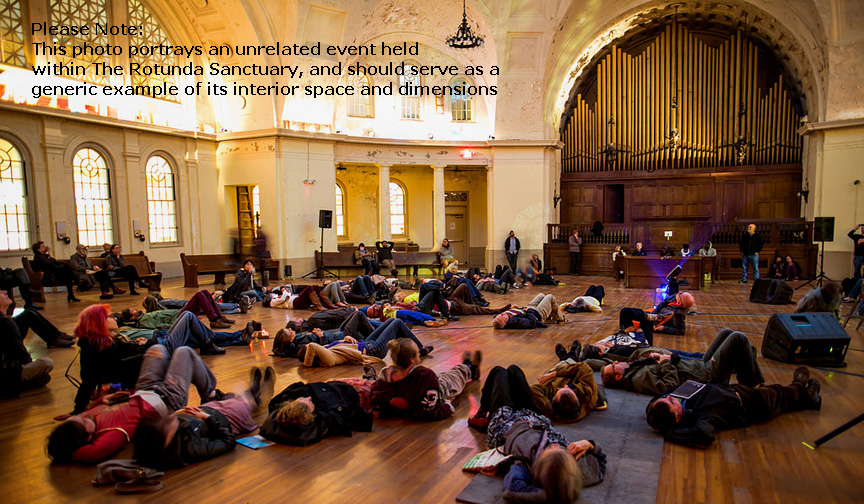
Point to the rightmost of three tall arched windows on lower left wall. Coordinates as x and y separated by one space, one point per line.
161 206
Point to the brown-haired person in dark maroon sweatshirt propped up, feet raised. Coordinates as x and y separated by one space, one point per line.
408 389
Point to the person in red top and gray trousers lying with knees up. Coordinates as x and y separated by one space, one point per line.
162 387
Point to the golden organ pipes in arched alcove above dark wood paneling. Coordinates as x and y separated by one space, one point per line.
681 101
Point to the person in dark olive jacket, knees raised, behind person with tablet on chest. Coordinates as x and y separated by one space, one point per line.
655 373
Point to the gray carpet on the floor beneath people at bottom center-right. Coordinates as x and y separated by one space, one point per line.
633 452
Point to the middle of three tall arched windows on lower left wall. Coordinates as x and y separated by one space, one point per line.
92 197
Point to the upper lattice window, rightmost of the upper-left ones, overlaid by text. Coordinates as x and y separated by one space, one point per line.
149 33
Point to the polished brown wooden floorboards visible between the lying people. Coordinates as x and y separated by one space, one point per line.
407 462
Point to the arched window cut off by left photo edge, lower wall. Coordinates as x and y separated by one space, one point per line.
14 225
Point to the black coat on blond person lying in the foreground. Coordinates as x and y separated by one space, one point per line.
337 413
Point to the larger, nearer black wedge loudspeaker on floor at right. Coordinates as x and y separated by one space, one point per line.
814 338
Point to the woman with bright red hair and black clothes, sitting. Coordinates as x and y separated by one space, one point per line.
104 358
